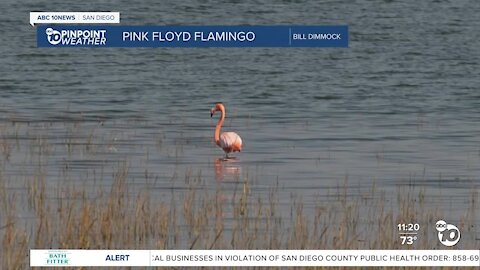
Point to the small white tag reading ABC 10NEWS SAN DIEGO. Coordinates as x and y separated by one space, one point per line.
74 17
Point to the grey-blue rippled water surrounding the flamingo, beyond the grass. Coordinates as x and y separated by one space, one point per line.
400 106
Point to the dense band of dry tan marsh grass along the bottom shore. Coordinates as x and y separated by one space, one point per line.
119 219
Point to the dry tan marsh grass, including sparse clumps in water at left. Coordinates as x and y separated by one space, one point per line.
123 216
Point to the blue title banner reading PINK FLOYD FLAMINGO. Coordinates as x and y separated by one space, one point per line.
191 36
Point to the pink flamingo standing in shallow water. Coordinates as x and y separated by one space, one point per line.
228 141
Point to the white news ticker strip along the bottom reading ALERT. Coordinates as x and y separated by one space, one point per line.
260 258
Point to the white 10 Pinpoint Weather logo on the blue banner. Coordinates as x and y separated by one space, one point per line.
76 37
